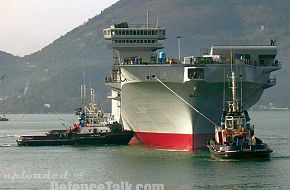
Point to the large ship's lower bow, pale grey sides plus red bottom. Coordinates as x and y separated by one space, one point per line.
161 119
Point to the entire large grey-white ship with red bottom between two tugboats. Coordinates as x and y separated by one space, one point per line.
154 95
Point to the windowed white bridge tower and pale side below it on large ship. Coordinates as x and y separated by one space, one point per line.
136 45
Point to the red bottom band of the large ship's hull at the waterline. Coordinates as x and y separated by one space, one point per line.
188 142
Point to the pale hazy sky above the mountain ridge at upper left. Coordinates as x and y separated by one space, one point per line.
27 26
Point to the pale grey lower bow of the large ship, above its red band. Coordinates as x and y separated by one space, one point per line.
150 107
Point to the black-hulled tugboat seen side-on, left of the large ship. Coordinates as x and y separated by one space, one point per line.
92 129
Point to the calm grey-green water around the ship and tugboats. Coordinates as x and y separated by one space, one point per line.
51 167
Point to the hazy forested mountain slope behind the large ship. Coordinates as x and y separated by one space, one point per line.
53 75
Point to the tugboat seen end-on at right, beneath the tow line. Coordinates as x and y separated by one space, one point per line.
235 138
